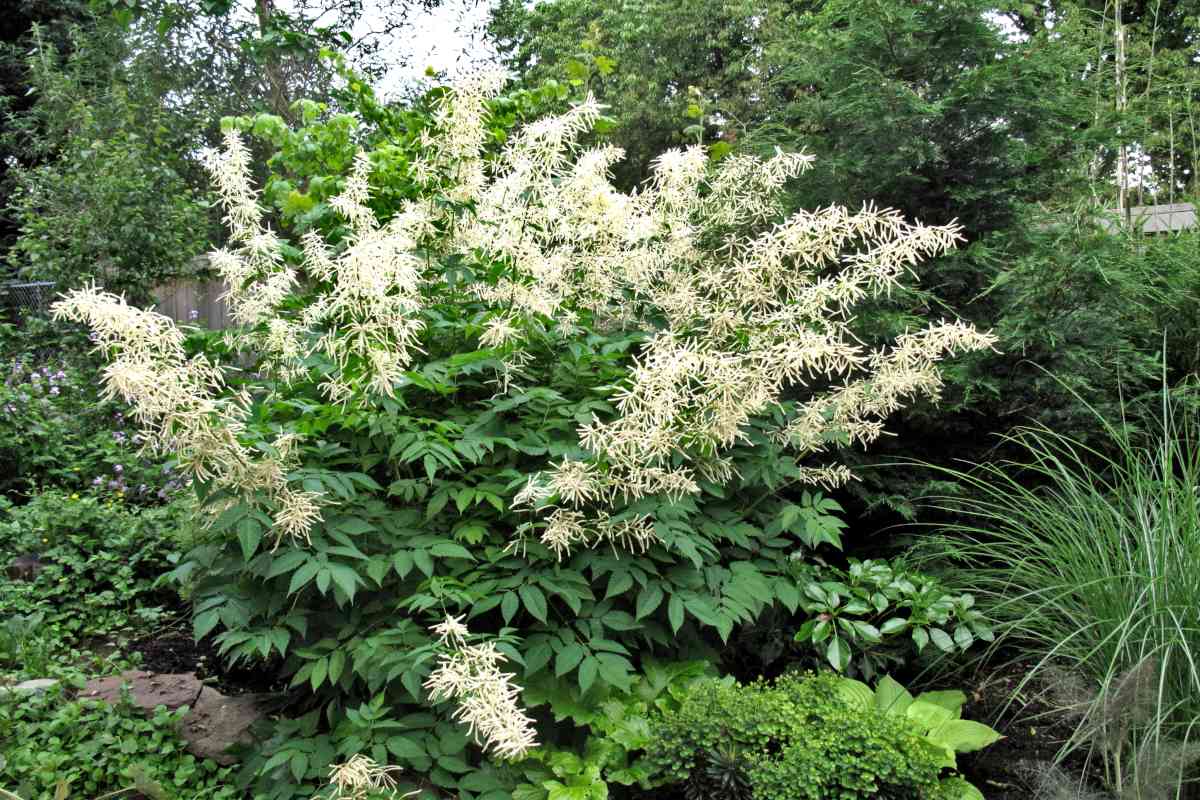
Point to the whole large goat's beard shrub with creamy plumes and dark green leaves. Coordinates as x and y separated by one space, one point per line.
578 419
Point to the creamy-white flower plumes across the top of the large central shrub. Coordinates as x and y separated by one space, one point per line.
737 316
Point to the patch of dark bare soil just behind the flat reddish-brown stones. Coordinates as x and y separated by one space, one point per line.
177 653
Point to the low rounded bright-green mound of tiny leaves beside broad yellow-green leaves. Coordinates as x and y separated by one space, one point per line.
796 738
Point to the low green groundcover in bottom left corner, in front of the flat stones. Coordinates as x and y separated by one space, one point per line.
53 748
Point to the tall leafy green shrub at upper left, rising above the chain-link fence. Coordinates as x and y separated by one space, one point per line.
106 197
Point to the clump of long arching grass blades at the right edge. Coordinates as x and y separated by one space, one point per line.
1088 561
